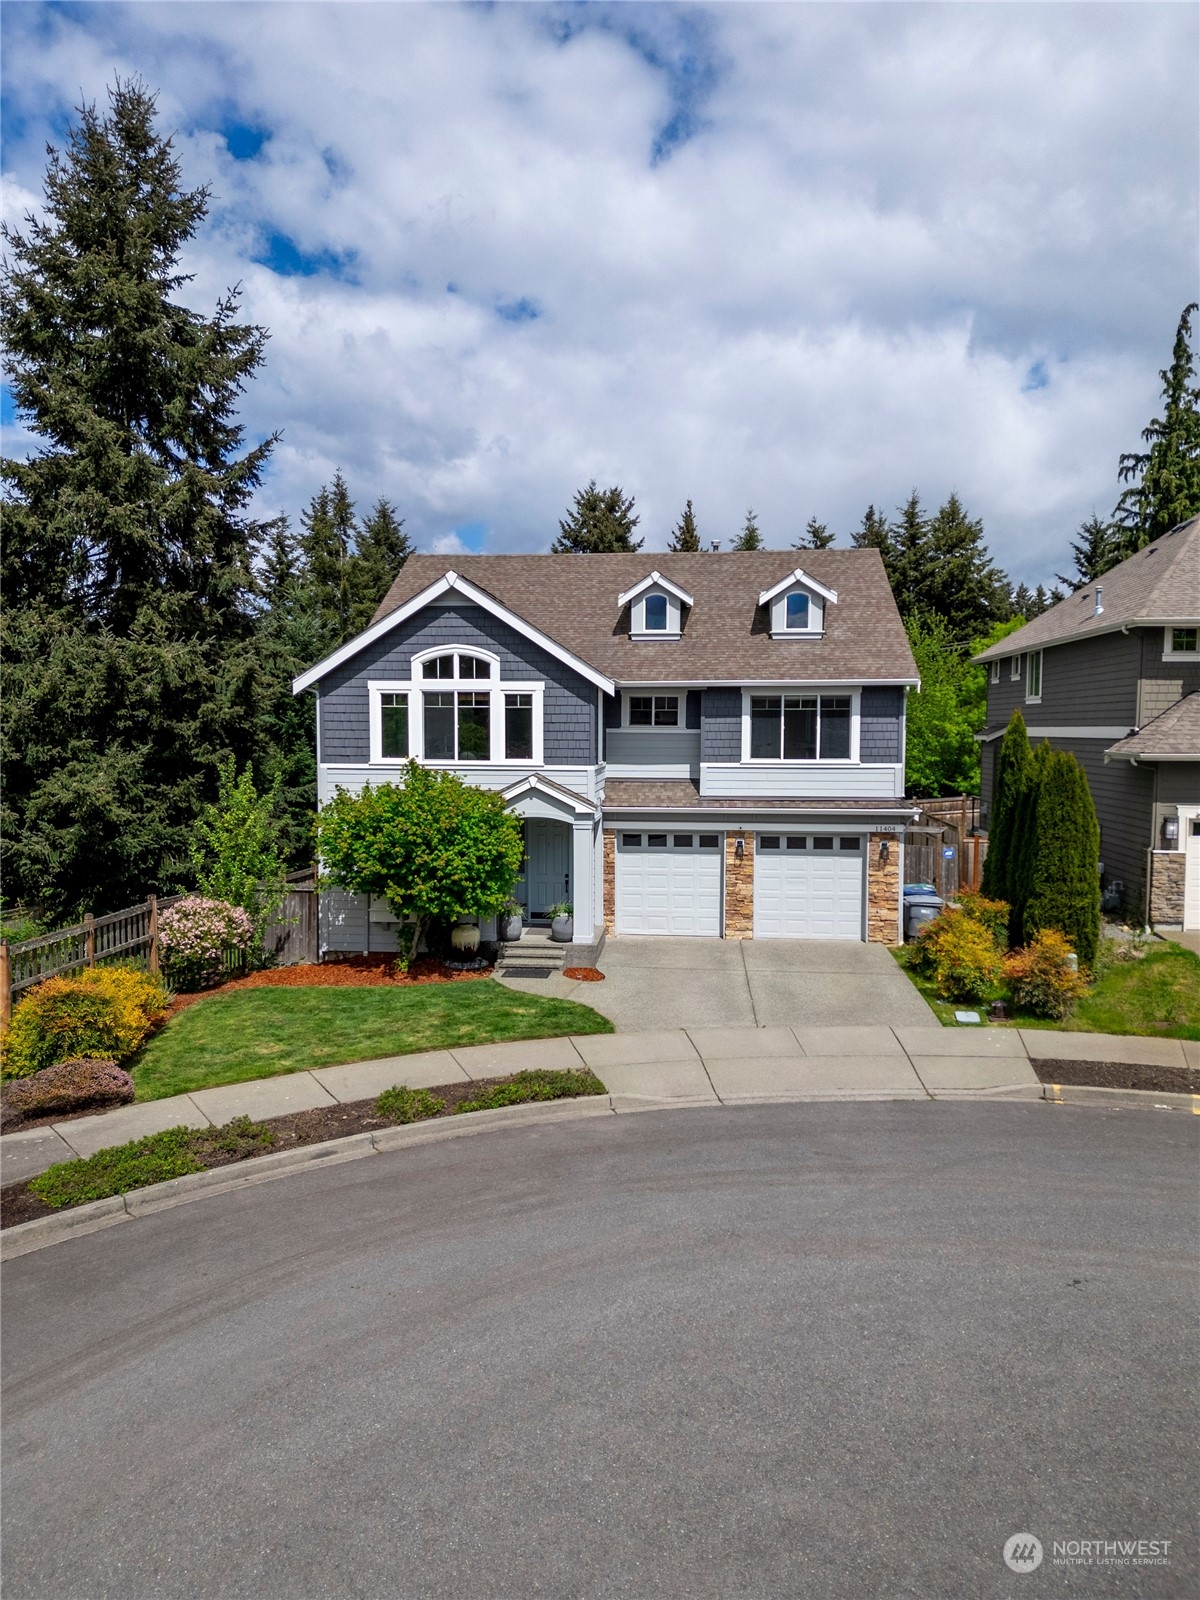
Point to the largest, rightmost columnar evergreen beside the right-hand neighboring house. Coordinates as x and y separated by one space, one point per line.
1063 884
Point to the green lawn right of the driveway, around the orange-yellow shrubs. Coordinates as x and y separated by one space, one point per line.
1158 996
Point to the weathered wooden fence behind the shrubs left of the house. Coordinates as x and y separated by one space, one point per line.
132 937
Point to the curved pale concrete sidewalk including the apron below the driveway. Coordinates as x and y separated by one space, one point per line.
694 1066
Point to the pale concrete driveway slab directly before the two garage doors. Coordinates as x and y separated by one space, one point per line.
751 983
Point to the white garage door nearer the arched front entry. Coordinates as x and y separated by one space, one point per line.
670 884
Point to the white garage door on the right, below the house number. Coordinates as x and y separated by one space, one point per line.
809 887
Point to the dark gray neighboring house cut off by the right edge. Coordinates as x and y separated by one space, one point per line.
1113 674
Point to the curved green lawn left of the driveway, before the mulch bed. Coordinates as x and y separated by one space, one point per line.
258 1033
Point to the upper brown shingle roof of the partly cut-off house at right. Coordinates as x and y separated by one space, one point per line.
1156 586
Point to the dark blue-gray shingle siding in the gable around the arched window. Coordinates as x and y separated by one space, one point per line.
569 702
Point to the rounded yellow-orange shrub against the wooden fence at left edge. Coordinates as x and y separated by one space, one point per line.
103 1012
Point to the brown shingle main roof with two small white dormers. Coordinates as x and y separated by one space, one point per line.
726 634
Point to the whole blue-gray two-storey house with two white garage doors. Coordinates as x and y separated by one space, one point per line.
698 745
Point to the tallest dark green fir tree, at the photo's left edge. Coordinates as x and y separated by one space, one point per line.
130 662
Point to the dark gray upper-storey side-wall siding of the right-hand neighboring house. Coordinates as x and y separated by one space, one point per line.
1090 681
